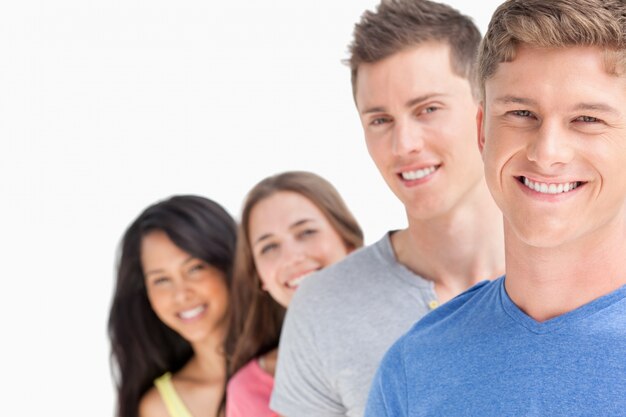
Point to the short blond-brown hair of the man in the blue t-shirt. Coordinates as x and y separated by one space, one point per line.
553 24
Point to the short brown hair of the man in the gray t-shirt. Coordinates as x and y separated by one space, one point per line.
400 24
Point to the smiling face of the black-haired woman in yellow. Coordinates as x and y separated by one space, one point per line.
187 294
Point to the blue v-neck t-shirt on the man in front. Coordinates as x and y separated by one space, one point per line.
480 355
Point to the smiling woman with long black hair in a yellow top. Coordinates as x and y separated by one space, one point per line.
168 317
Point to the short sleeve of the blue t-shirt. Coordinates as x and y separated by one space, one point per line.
388 393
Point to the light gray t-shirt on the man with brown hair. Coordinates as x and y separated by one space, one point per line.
339 325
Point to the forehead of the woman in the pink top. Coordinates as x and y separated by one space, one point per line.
279 211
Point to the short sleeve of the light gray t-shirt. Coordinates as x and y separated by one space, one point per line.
302 388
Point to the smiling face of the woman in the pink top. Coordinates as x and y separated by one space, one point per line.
291 239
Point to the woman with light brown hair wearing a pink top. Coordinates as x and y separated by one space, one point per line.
292 225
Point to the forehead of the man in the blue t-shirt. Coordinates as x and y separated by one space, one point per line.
556 76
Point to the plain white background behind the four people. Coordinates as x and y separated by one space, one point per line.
108 106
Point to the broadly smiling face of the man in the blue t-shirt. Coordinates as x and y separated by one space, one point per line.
552 132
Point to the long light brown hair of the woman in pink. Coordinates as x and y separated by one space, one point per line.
256 318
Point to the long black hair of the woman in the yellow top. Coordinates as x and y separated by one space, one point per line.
142 346
